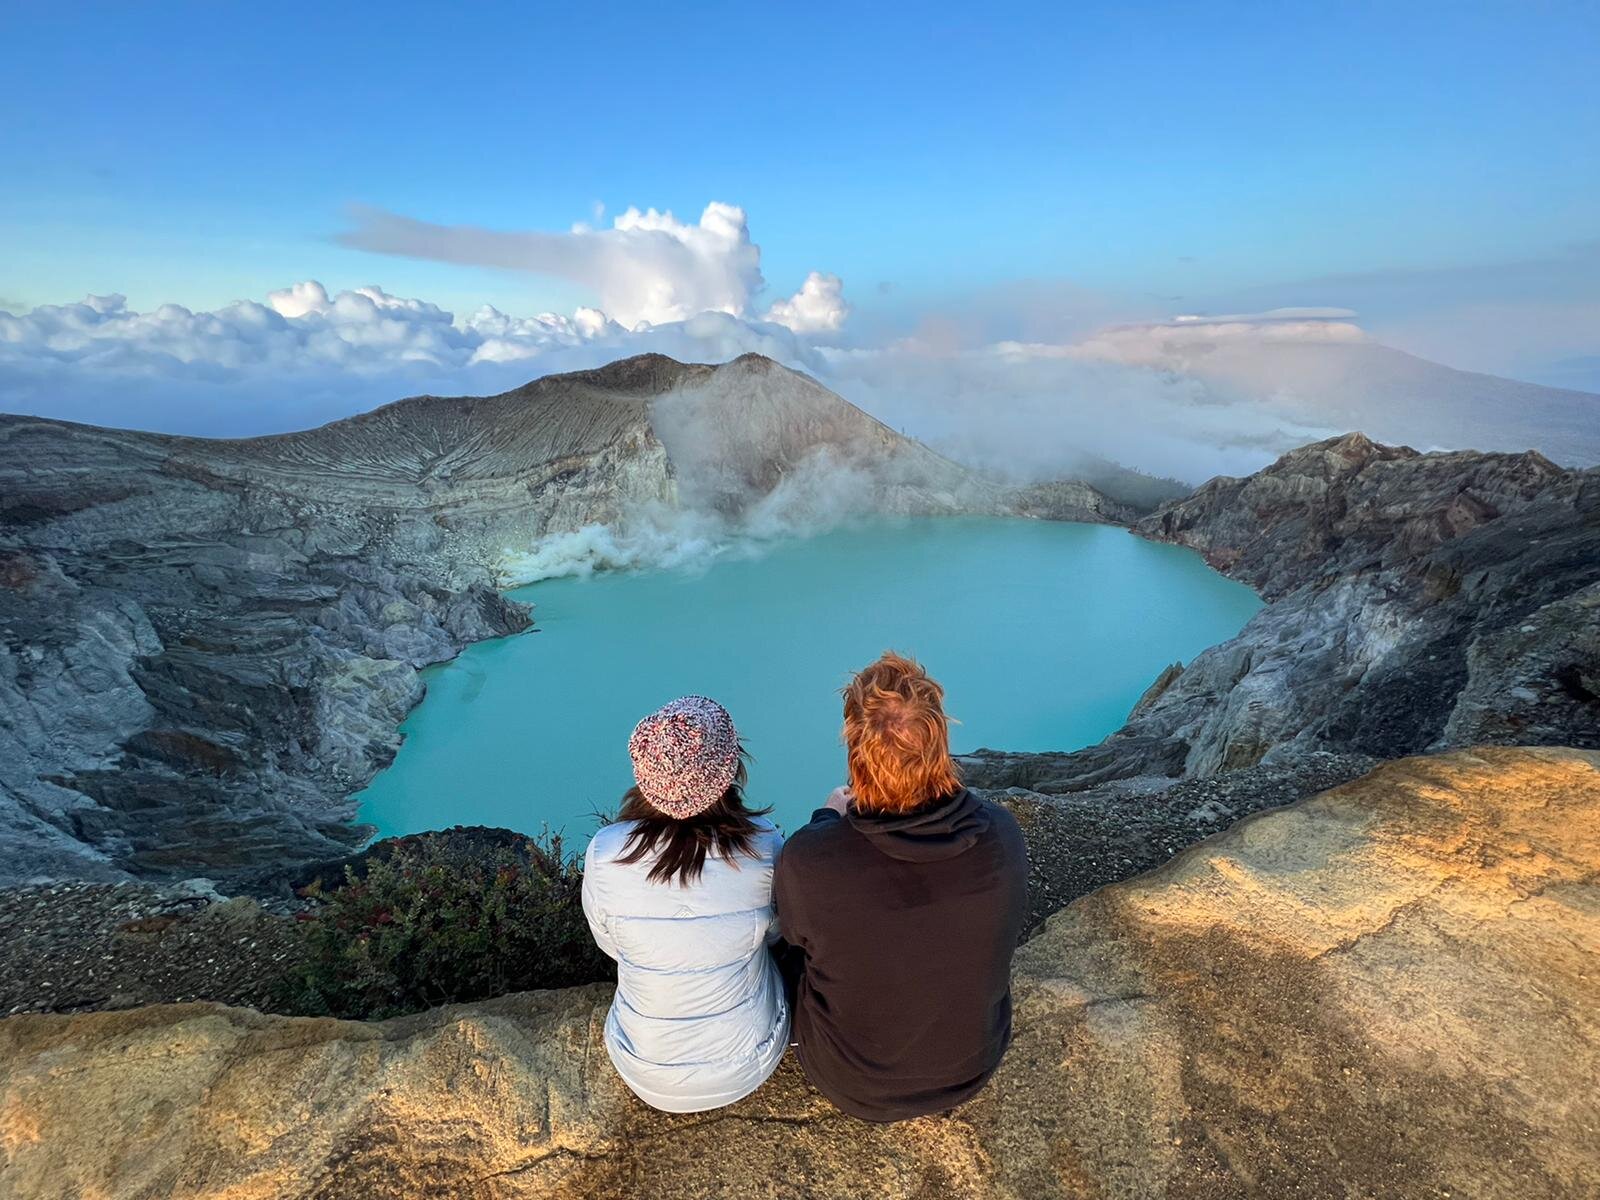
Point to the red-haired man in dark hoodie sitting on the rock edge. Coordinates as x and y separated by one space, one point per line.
903 902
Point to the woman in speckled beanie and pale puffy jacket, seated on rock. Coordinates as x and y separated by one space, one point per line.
681 894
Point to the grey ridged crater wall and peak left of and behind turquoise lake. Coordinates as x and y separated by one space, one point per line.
206 647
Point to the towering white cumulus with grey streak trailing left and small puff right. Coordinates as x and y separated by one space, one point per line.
649 268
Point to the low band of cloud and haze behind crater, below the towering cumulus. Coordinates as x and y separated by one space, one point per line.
1185 399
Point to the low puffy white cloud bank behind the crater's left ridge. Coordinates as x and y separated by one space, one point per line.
311 356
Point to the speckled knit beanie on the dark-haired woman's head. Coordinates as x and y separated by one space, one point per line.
686 756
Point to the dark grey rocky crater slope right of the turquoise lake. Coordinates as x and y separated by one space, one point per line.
1415 602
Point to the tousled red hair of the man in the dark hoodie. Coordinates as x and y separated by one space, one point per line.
897 738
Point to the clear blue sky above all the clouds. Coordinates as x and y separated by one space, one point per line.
199 154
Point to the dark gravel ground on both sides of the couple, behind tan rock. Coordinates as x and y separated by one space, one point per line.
87 946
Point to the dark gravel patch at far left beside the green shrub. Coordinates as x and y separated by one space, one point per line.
86 946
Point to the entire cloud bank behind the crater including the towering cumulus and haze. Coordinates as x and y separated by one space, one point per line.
1188 398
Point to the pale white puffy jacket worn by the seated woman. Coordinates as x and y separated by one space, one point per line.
700 1017
